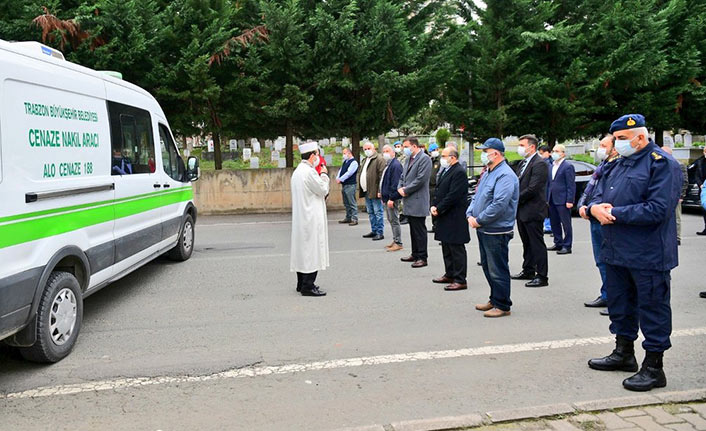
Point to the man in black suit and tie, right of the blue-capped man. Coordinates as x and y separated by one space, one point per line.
531 212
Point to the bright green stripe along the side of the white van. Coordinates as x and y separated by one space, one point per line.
32 230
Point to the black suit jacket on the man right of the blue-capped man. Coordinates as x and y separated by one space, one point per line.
532 205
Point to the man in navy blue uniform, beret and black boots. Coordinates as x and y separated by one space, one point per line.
635 206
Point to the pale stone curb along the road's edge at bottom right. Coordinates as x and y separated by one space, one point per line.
476 420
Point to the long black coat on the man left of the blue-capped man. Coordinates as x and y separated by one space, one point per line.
451 201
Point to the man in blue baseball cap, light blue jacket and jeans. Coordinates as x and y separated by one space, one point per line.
492 213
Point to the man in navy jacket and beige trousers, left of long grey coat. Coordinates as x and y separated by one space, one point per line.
389 196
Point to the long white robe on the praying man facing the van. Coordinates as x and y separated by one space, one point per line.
309 251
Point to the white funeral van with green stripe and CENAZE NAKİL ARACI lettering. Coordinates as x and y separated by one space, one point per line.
91 188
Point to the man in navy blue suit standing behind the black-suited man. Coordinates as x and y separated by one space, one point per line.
562 190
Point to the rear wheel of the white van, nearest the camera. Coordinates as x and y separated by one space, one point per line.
59 319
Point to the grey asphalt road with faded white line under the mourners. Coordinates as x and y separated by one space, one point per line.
223 341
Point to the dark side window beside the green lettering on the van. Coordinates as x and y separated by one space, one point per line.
131 140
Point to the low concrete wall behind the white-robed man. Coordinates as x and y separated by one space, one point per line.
253 191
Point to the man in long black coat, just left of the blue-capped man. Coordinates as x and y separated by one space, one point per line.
449 207
